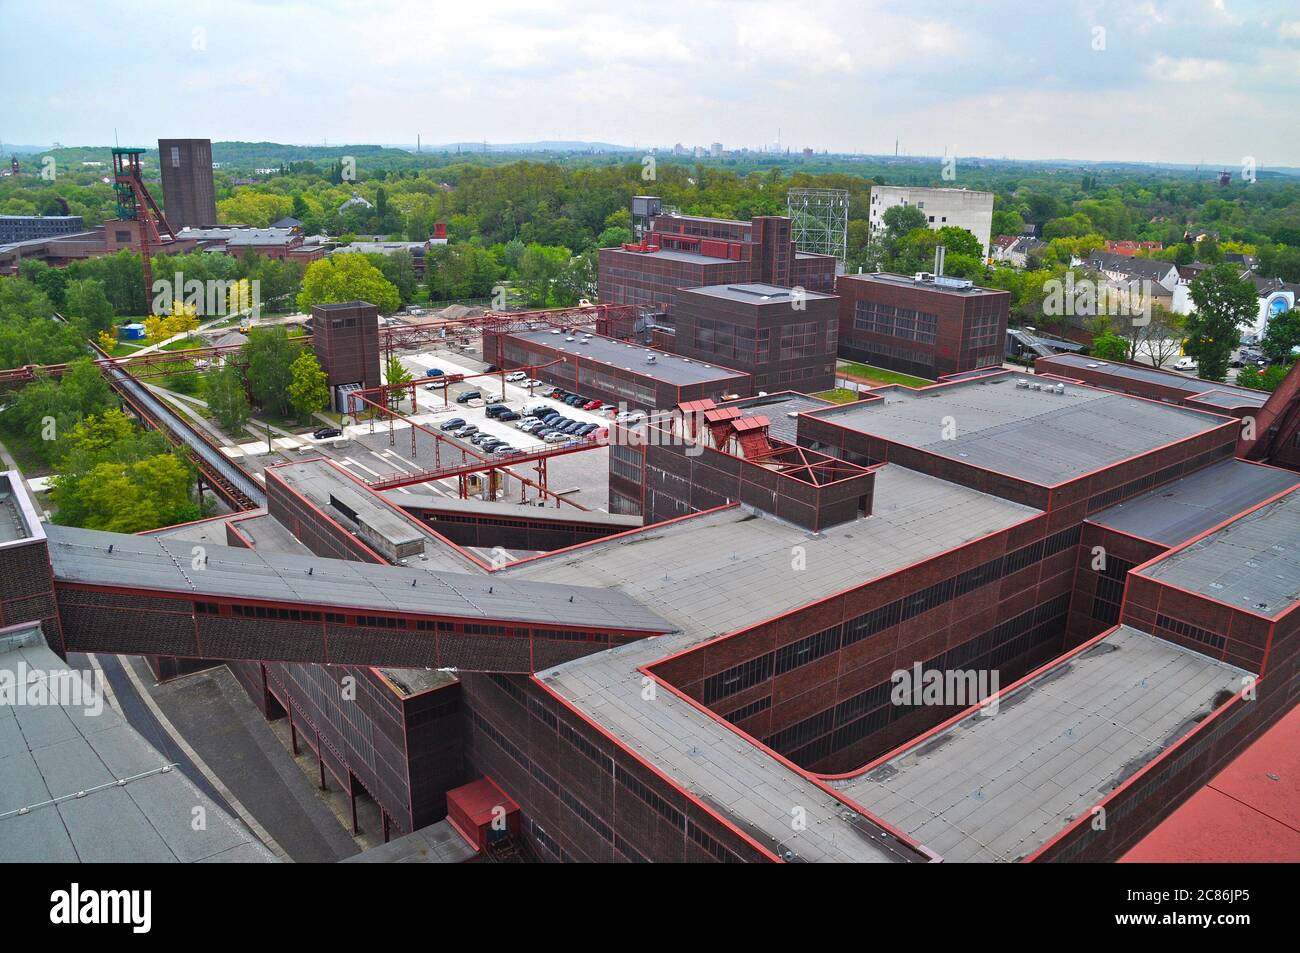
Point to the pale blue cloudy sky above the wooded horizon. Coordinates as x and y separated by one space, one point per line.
1185 81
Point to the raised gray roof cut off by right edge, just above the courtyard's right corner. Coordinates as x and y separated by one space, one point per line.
1253 564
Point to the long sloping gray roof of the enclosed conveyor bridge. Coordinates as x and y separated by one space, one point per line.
83 556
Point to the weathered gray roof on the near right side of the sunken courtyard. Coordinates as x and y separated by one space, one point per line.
995 789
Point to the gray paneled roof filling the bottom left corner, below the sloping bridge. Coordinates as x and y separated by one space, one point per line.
53 753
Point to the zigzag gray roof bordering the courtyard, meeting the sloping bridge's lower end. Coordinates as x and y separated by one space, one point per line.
723 571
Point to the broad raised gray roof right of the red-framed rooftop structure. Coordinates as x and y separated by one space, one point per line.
1038 436
